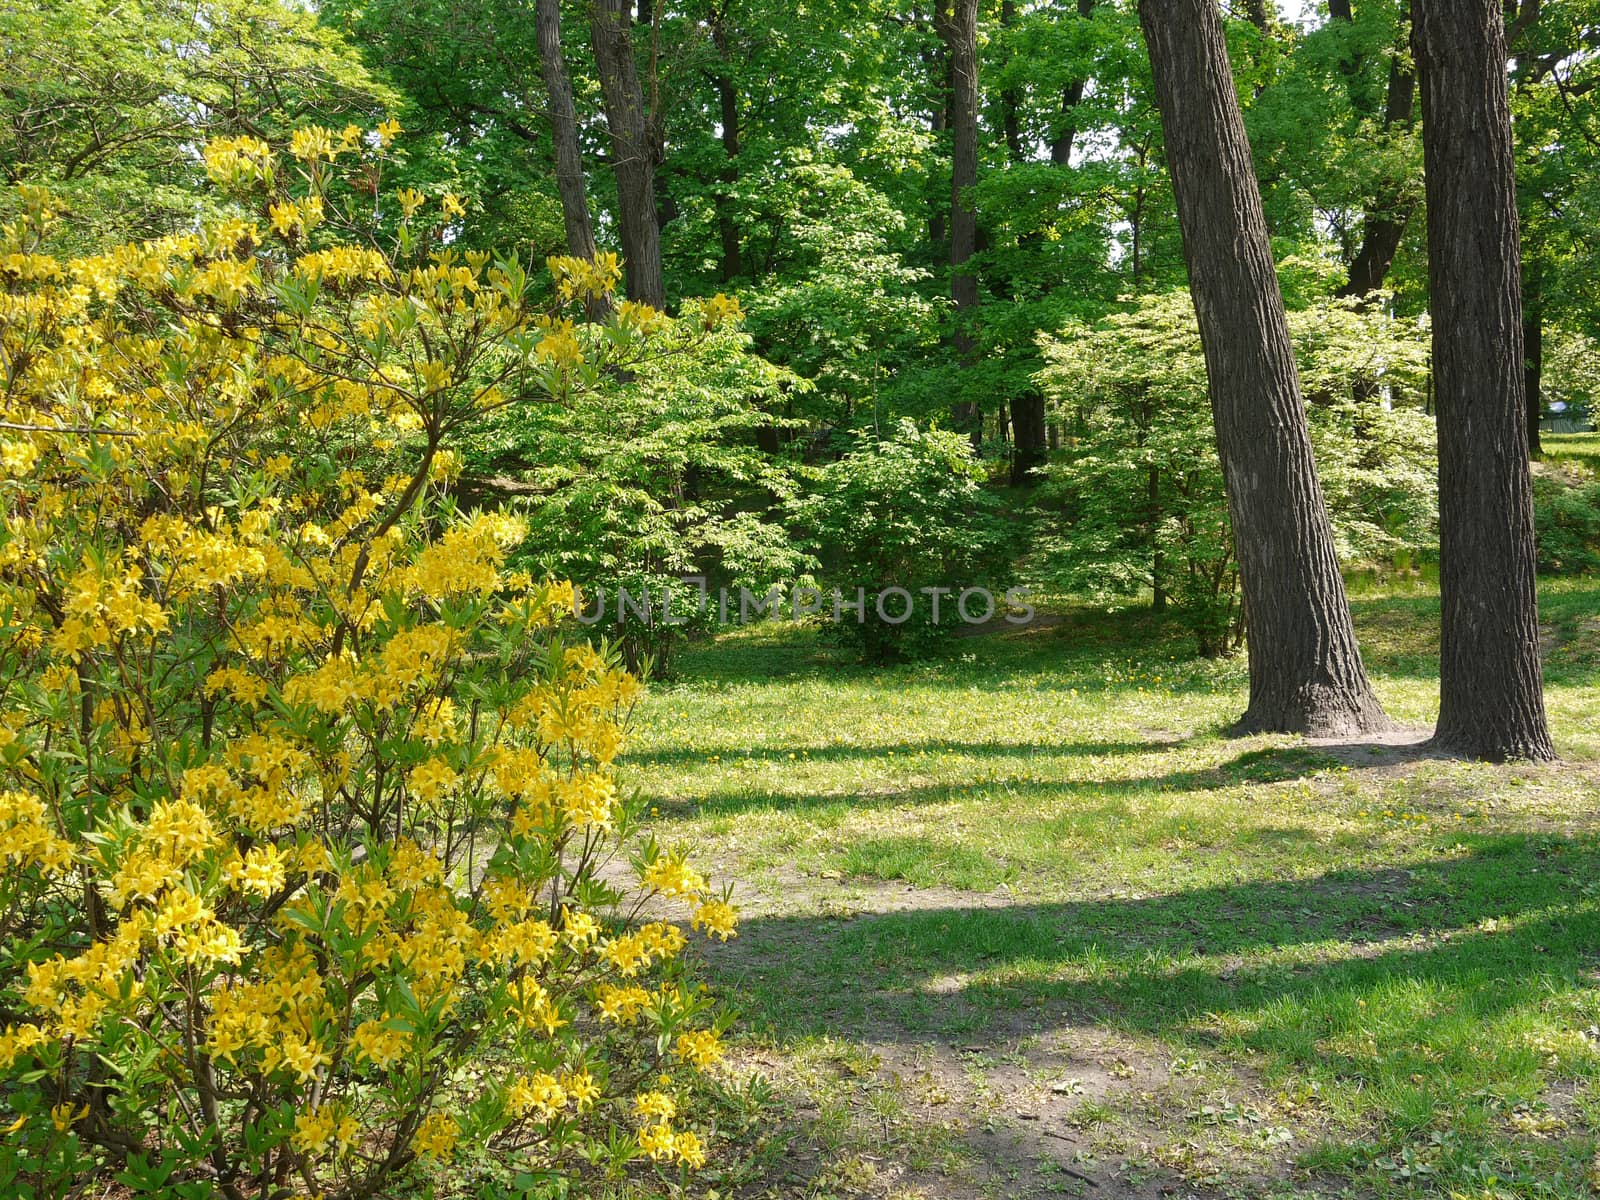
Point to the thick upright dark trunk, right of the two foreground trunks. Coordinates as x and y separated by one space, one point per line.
1492 695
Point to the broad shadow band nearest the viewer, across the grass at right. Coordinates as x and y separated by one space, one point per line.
1158 964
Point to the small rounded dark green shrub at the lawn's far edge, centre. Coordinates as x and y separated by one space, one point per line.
911 513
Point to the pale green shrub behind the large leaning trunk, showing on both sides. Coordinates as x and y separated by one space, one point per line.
1137 502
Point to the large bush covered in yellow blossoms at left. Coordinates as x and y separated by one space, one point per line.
306 807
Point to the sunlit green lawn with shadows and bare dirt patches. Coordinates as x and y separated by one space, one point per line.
1023 921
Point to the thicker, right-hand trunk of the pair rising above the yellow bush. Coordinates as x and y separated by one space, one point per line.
631 151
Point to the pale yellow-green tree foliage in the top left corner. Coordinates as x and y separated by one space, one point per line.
105 103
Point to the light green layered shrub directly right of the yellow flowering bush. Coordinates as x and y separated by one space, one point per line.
652 484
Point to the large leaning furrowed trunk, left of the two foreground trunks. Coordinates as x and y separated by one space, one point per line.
1306 671
